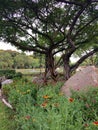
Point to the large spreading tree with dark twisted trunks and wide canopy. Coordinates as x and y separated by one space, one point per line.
51 26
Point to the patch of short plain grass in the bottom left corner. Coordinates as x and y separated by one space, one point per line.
6 123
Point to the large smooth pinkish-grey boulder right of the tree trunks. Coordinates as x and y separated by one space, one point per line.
82 80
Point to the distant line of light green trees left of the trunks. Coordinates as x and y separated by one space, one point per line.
14 60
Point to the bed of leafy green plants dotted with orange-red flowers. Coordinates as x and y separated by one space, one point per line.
45 108
